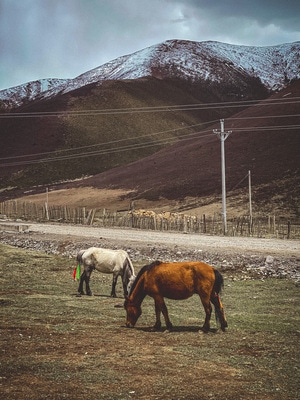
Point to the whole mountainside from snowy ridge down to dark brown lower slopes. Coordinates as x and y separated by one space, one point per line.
144 122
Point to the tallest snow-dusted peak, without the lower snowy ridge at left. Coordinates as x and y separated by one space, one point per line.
274 65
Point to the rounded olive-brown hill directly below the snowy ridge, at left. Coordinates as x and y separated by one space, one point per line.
86 119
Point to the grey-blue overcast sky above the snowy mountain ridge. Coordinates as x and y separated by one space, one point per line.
64 38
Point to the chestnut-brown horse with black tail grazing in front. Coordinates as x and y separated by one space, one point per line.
175 281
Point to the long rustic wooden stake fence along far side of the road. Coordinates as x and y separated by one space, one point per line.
260 226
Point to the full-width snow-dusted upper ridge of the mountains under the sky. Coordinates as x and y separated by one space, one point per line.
216 62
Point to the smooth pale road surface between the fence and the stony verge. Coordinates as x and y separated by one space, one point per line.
154 238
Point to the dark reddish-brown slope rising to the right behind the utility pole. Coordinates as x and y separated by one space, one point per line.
261 141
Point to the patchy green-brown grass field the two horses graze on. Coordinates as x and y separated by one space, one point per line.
55 345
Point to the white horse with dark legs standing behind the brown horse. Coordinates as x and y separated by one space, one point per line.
116 262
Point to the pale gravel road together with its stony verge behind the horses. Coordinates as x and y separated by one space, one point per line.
246 257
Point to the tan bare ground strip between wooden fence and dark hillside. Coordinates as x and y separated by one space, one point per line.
122 200
